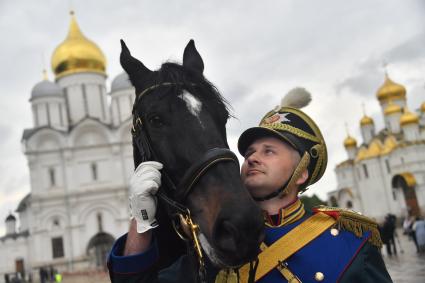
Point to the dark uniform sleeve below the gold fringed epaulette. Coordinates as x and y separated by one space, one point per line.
367 267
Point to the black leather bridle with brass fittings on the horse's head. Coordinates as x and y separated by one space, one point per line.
174 196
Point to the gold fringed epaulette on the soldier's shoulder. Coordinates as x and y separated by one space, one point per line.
355 222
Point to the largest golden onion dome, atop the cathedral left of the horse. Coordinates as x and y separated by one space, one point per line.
77 54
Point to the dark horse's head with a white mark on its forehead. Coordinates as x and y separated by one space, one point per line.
185 117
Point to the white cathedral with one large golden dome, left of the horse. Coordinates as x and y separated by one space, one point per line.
80 158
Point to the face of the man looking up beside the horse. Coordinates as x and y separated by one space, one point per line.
269 163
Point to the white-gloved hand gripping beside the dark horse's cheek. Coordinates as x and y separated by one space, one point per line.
144 184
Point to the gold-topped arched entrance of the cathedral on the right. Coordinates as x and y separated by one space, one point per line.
407 183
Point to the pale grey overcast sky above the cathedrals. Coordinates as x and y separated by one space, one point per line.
254 52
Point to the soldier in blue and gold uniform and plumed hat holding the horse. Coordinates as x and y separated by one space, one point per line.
284 155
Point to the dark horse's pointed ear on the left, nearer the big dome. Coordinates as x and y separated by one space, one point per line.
133 67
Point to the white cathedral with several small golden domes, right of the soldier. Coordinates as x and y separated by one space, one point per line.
386 172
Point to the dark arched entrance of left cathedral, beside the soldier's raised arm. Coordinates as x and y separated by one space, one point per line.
98 248
